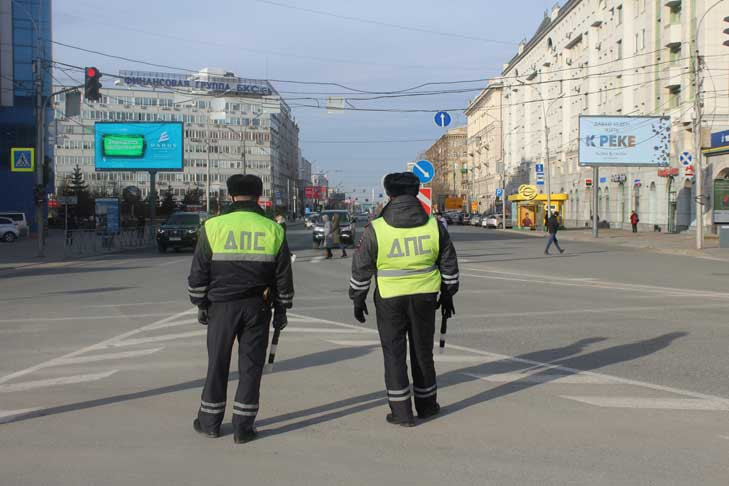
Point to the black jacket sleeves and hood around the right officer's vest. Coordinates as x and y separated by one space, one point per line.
401 212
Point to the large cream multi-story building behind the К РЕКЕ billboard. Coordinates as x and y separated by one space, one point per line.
615 57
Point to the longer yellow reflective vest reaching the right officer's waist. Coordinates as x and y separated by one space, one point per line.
406 259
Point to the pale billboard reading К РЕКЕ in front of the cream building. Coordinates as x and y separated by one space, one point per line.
624 141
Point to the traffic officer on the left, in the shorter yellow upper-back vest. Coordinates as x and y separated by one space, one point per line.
241 268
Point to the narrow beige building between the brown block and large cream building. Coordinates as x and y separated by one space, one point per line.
485 147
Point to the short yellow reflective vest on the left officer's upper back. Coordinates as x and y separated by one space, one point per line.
244 236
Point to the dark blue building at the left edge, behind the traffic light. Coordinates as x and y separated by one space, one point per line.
25 36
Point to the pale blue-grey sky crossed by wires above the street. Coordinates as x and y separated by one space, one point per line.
372 46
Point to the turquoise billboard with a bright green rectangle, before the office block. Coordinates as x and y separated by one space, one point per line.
139 146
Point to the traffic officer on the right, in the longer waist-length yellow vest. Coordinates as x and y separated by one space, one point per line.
412 258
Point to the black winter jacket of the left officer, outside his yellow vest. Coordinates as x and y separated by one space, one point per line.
224 281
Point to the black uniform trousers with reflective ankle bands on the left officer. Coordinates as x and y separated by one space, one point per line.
247 320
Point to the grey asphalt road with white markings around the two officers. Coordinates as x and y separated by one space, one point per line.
599 366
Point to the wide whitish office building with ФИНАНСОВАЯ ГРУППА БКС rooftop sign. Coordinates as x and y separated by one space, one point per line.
235 125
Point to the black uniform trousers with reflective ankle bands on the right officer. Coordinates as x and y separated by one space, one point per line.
408 319
